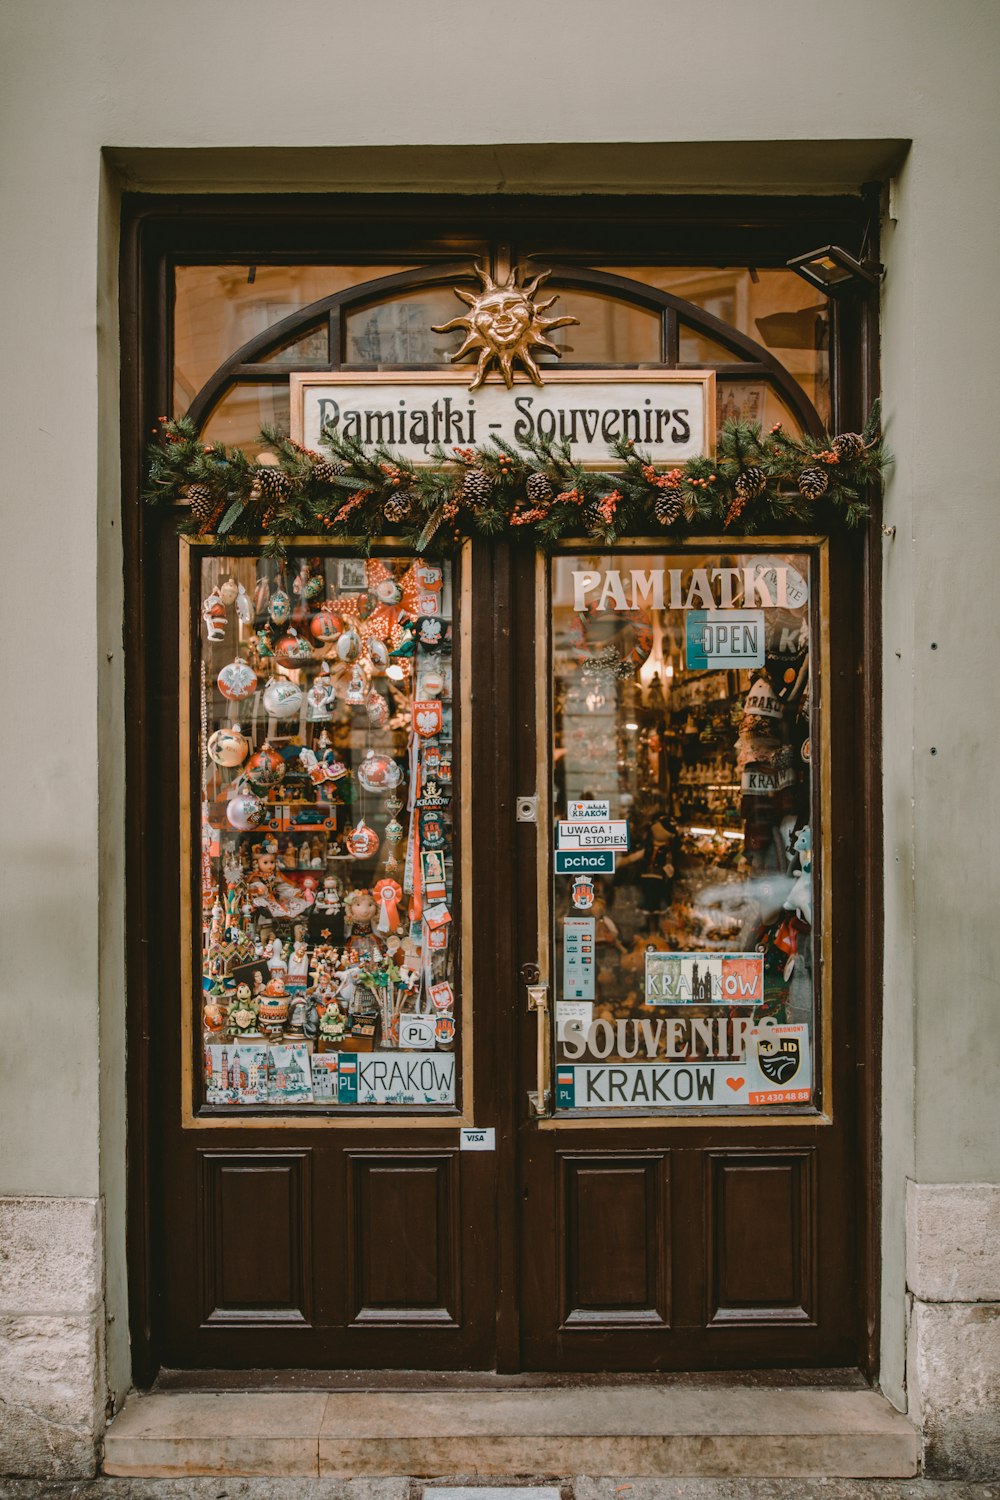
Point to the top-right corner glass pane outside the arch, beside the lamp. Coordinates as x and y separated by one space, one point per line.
776 308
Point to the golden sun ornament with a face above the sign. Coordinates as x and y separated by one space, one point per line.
506 325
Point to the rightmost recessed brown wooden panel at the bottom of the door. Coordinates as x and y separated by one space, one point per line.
761 1237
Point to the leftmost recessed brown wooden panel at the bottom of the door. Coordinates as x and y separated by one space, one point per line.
256 1229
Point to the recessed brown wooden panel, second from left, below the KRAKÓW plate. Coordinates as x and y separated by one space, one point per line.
403 1240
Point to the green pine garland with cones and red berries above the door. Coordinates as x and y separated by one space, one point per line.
533 490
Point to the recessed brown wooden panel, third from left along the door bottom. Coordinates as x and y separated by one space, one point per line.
614 1240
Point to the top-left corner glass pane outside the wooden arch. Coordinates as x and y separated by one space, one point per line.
218 308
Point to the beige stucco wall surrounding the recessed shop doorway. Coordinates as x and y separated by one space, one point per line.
323 95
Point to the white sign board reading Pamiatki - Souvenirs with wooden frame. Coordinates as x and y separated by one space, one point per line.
669 415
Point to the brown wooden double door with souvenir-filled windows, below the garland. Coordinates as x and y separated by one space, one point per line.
635 1142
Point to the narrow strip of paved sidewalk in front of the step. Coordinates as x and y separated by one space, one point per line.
479 1489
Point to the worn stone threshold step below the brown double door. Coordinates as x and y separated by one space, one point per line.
614 1430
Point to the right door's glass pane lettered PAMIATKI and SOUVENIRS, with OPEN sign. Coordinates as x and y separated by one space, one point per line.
683 796
